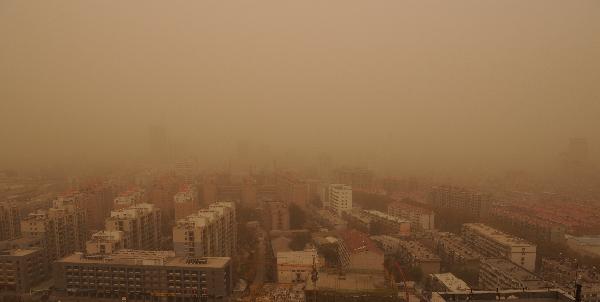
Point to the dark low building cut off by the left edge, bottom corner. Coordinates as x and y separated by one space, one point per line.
21 269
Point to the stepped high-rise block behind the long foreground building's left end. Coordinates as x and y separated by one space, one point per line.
63 226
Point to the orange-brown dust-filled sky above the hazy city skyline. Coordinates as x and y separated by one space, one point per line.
443 86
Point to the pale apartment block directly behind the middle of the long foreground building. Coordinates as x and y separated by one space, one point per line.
140 224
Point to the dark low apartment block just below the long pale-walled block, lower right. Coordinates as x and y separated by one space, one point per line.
500 273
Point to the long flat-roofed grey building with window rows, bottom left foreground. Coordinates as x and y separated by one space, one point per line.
135 275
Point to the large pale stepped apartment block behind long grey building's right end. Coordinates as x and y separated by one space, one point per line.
209 232
